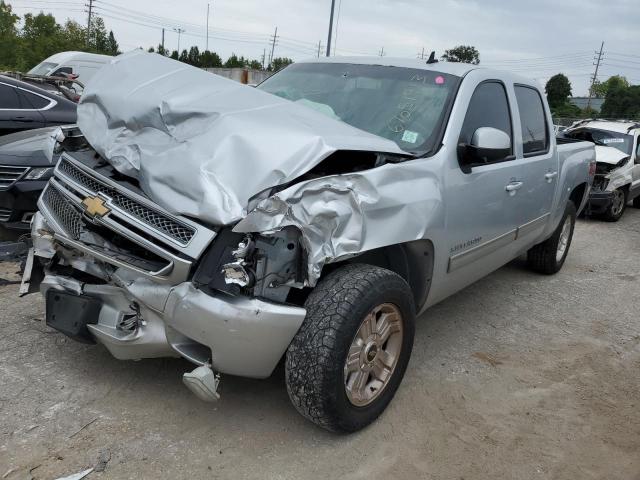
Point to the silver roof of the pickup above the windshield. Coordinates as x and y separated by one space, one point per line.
454 68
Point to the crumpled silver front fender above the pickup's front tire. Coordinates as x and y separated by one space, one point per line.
340 216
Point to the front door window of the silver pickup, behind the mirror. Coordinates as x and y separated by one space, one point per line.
488 107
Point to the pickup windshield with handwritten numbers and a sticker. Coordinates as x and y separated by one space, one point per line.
407 106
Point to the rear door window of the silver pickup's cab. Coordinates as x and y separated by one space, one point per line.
535 135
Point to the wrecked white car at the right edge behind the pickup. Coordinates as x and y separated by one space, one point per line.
617 179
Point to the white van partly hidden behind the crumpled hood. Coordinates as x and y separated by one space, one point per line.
80 66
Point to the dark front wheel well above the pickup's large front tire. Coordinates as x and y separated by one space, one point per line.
413 261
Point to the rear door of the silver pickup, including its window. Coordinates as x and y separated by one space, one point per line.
537 163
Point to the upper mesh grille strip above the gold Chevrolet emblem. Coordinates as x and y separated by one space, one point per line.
159 221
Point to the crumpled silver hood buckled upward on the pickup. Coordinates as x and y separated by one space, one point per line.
201 145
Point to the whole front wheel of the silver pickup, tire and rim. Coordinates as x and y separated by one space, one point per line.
346 362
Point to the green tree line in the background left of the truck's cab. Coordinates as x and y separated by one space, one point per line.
40 36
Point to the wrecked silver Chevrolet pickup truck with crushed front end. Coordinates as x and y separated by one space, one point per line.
309 220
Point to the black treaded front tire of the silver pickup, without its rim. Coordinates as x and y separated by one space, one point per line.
314 368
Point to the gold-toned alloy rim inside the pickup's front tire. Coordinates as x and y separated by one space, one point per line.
373 354
